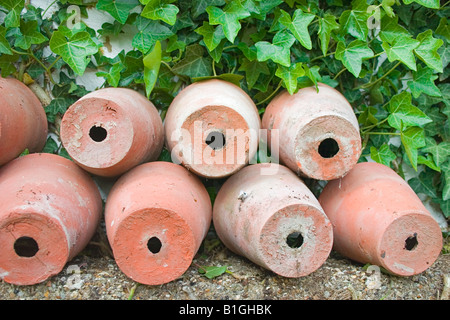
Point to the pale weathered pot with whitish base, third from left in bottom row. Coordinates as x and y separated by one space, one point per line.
273 220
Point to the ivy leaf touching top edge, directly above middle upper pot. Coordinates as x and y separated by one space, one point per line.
228 18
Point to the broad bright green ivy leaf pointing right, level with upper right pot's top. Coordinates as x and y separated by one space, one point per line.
404 113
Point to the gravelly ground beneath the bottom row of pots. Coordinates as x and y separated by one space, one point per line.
97 277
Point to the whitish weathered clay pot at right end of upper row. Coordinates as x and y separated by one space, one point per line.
318 132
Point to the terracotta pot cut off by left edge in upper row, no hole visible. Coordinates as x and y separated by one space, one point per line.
23 123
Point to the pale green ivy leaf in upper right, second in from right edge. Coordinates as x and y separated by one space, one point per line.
402 50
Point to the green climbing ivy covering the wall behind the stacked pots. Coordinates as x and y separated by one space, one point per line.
388 57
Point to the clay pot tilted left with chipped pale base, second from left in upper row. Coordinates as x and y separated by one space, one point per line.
112 130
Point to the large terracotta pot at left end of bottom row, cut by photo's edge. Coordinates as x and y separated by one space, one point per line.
49 210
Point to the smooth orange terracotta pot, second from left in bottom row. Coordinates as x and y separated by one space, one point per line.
156 216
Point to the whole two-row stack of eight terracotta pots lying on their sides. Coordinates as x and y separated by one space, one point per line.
158 213
